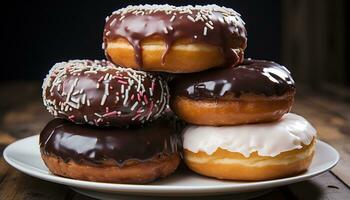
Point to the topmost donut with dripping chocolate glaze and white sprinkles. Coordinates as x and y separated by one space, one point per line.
174 39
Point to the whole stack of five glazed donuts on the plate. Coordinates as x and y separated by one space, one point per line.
112 120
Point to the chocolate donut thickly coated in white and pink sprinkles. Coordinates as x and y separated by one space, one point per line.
101 94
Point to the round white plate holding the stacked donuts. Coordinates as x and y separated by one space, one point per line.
24 155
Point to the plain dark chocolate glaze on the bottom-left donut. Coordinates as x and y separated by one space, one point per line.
93 145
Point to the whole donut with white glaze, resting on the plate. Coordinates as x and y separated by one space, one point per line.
251 152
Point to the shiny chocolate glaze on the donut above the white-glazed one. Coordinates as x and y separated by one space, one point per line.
252 76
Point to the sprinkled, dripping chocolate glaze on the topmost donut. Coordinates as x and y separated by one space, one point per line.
215 25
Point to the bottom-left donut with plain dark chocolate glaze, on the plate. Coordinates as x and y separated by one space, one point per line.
111 154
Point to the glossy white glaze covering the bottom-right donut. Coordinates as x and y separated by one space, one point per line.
267 139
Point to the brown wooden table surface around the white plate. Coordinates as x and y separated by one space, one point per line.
22 114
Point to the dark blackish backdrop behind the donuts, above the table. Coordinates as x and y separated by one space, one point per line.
309 37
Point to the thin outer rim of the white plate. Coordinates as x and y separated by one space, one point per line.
120 188
